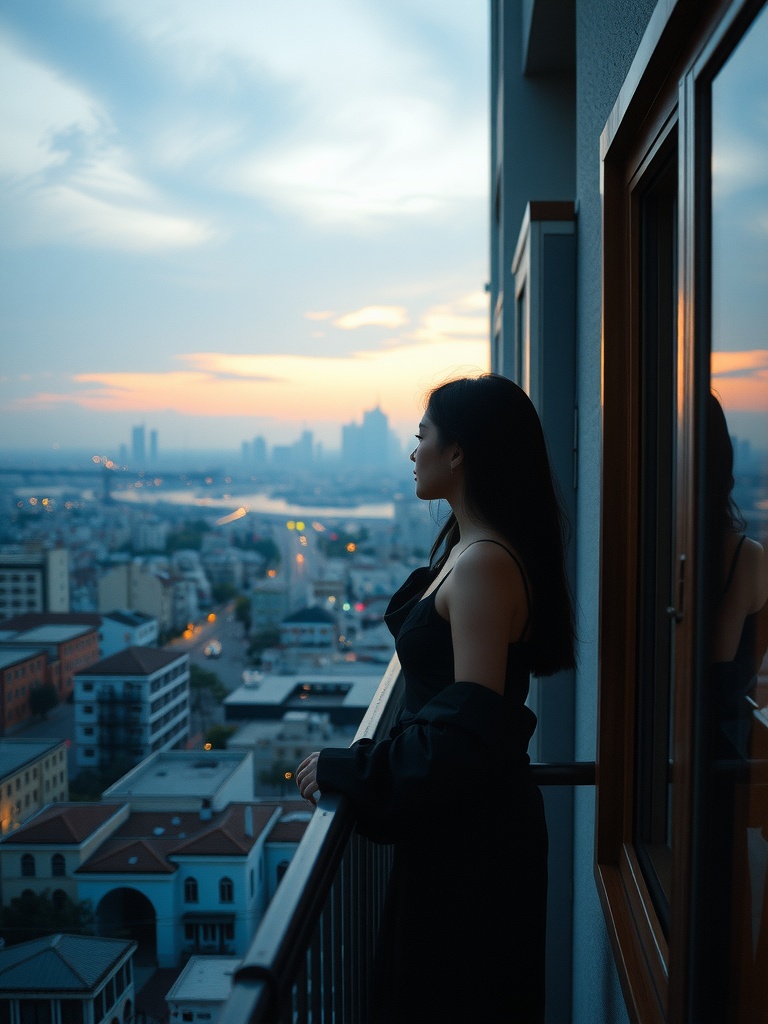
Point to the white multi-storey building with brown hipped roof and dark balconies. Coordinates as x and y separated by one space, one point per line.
132 705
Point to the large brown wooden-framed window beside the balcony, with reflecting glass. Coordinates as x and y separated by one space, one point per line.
679 801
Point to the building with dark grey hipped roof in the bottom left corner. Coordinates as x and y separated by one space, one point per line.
68 979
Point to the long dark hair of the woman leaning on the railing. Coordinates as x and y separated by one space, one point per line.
509 487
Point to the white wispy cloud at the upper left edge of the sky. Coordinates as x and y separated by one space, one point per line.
69 182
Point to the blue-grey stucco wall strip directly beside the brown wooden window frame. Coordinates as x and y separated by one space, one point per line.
609 33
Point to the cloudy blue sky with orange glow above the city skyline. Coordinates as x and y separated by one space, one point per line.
233 219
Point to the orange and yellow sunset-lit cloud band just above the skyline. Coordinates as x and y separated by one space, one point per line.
311 389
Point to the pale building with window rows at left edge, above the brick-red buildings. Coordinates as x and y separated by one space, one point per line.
34 582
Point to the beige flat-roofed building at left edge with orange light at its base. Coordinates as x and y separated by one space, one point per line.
33 774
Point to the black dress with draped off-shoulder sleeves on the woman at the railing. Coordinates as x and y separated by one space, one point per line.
463 932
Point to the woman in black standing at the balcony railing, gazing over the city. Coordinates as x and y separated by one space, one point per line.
463 932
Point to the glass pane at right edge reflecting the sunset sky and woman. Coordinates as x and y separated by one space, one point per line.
737 529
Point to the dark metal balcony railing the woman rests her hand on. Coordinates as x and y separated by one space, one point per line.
311 958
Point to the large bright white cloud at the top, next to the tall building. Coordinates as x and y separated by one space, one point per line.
370 122
